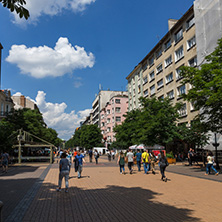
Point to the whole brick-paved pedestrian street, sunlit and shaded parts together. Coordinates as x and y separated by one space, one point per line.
103 194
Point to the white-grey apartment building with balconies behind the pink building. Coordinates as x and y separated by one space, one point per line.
100 102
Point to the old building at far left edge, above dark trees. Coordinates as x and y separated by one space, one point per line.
6 103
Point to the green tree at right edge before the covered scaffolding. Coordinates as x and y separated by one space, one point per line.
206 91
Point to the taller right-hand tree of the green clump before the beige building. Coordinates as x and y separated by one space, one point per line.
157 123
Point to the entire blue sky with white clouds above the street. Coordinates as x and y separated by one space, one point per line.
67 48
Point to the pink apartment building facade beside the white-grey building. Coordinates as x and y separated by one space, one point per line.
113 114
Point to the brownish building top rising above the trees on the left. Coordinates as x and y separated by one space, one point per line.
23 102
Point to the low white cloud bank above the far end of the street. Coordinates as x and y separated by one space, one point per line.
55 116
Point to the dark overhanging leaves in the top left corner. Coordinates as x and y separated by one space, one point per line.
17 6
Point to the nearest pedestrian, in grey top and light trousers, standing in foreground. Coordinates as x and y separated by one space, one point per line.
64 166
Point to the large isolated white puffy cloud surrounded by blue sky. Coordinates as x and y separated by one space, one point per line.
43 61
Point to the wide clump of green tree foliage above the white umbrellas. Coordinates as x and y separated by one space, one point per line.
154 123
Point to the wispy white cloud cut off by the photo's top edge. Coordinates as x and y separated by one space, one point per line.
39 8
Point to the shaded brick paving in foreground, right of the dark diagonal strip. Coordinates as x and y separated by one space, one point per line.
113 203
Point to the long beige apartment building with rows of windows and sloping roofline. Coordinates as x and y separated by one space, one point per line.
158 74
